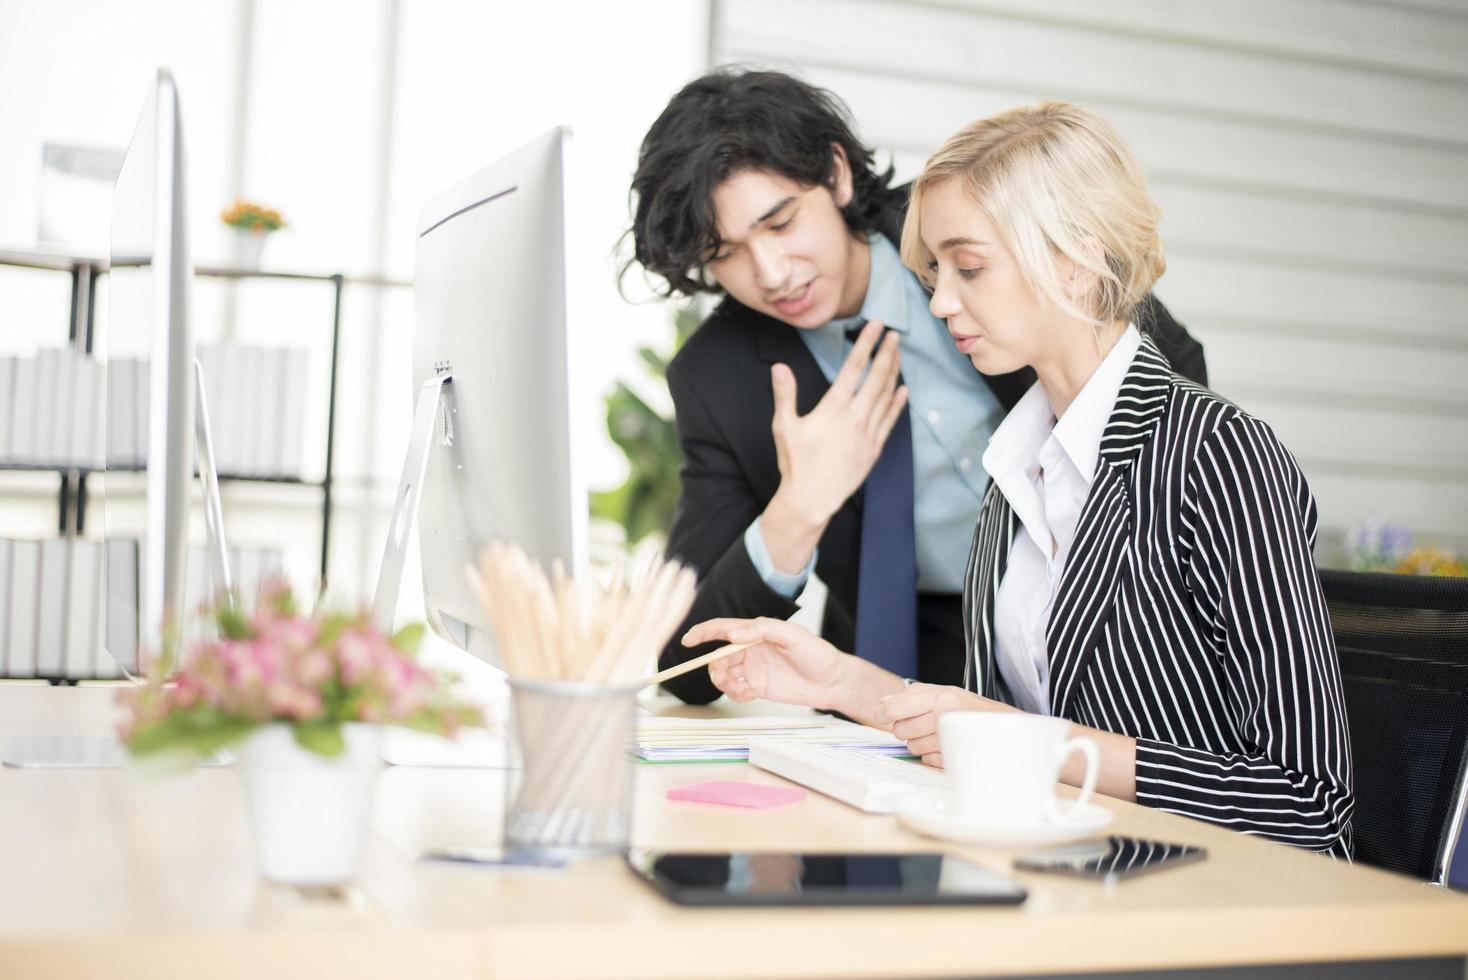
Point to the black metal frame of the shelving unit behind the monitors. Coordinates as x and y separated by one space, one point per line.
84 275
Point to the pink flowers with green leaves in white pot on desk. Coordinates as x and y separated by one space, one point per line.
302 701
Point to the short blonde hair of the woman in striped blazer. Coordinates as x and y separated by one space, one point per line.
1056 180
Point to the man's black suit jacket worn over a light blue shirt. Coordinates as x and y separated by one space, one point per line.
724 406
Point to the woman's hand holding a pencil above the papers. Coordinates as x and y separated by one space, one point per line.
785 662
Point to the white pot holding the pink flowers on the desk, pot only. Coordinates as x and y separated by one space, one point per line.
309 813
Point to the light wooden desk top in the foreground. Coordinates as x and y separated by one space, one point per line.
117 875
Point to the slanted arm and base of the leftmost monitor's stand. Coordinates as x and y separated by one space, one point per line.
105 752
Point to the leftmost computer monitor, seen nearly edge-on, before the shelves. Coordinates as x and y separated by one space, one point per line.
152 390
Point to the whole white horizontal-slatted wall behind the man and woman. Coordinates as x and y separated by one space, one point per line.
1310 162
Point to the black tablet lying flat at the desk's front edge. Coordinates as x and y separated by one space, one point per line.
780 878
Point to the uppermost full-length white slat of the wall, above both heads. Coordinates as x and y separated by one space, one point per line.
981 49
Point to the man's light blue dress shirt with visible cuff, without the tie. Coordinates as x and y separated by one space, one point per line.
953 414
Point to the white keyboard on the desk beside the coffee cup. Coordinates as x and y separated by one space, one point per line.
868 781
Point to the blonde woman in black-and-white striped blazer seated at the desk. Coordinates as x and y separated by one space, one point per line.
1143 558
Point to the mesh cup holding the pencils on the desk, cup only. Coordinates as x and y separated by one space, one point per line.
575 790
